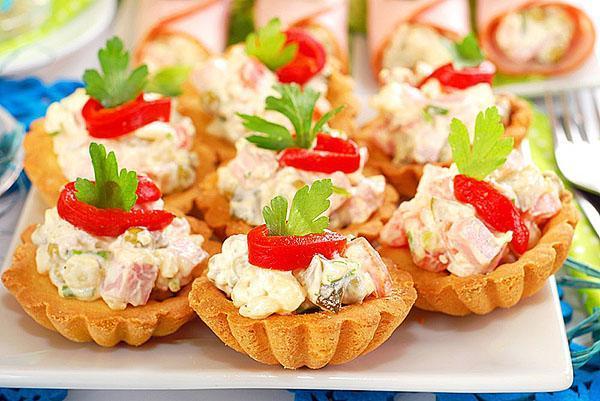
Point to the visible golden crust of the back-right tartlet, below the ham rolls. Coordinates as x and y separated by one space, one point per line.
405 178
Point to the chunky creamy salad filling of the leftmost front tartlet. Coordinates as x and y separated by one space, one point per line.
121 271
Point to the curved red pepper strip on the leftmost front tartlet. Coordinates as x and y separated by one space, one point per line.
107 222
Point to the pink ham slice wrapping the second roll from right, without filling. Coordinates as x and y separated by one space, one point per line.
449 17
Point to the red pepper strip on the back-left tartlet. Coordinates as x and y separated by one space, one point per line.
121 120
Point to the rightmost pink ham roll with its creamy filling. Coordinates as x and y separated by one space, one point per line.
534 37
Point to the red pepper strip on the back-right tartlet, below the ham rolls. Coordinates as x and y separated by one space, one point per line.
463 78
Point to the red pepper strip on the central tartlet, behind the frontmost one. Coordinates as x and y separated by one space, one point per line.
329 155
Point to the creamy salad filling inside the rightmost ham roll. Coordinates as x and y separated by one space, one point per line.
540 34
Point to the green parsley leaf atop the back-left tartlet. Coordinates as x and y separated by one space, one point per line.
116 85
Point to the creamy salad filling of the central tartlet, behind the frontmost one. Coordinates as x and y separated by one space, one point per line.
254 177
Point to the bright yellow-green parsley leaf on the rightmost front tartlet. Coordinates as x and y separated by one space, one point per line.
489 150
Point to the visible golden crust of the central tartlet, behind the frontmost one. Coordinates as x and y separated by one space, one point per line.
214 209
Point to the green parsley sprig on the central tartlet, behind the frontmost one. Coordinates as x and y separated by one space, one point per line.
298 106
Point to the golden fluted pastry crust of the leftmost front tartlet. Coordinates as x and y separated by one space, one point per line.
82 321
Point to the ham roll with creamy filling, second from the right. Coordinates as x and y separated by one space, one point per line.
406 33
